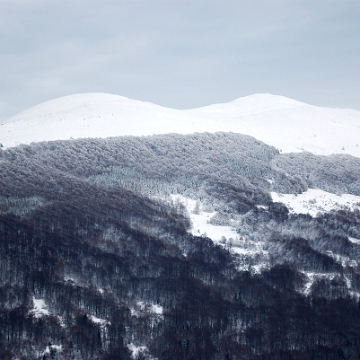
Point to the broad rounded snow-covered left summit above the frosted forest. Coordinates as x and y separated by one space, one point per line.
92 115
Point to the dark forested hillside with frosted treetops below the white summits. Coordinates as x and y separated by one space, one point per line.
98 262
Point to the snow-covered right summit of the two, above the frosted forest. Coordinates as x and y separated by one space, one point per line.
289 125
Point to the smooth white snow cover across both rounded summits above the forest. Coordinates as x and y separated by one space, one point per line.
287 124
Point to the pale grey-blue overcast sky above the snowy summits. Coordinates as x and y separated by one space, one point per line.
179 53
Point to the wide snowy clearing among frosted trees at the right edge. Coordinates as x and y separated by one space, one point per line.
315 201
